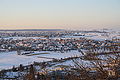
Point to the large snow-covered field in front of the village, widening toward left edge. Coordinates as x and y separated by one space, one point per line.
10 59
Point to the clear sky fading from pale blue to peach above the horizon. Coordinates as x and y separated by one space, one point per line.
59 14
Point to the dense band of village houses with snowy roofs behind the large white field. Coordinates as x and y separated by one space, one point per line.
57 42
